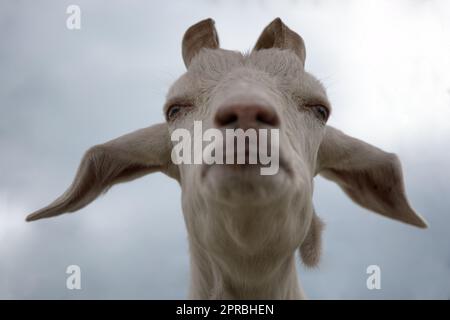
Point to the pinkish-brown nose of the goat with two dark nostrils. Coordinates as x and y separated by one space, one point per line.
246 116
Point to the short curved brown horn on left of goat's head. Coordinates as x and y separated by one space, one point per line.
201 35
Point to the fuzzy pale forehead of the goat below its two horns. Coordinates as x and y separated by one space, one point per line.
281 68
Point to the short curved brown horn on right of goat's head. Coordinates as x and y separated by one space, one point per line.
278 35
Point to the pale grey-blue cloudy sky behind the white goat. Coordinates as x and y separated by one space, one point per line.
385 64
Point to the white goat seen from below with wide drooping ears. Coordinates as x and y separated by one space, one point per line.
244 228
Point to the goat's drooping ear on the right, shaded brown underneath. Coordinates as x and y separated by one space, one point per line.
369 176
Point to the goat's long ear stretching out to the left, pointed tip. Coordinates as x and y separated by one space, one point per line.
123 159
